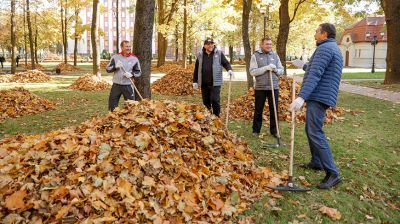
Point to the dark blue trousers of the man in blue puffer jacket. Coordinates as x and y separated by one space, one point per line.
321 154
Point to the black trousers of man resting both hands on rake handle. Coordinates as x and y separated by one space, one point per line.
260 97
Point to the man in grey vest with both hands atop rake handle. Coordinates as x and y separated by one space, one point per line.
262 62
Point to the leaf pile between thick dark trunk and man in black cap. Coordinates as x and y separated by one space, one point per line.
176 82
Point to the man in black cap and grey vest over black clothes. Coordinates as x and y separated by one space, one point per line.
208 75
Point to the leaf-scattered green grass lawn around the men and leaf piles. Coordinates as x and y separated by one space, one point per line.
366 148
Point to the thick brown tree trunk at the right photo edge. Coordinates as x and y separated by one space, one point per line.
392 17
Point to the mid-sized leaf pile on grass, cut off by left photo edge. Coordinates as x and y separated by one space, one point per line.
19 101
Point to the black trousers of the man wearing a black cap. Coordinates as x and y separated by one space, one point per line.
211 98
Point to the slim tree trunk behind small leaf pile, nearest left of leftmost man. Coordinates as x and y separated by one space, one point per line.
94 34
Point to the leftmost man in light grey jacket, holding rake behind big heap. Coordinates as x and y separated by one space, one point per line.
125 65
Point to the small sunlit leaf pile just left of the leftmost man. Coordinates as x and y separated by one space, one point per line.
90 82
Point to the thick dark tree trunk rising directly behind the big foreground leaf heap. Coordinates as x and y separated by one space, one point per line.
144 22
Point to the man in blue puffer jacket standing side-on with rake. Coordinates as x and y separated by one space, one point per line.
320 89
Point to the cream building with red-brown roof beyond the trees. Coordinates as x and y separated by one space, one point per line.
356 46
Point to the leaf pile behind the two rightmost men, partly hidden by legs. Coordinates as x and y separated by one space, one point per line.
243 107
